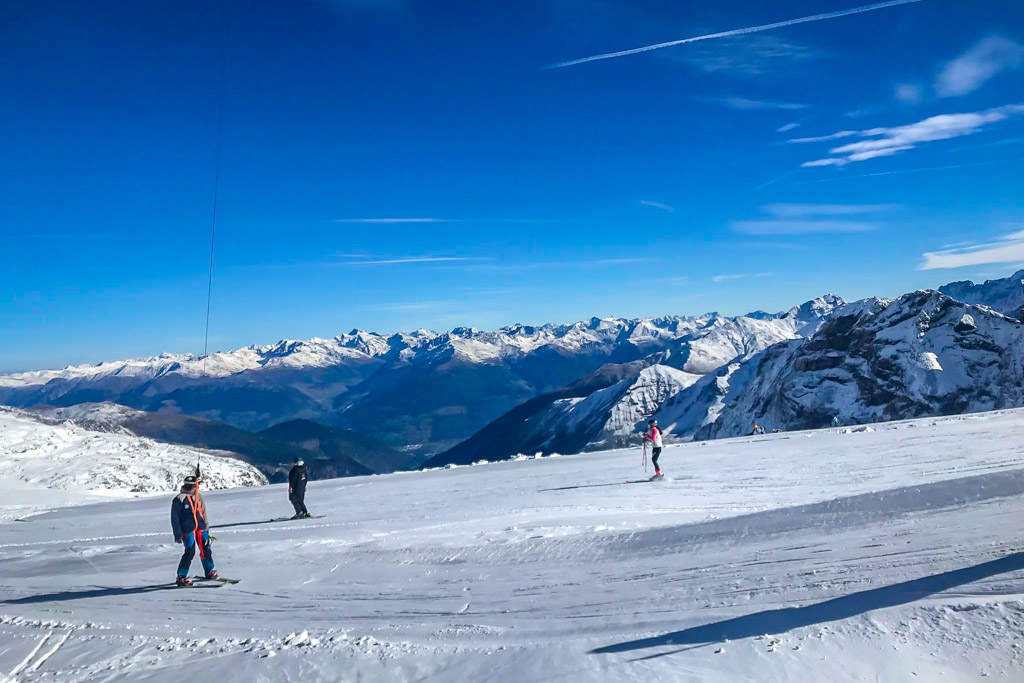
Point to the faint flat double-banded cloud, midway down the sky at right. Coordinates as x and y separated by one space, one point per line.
812 219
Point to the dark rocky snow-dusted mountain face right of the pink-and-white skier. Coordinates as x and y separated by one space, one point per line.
924 354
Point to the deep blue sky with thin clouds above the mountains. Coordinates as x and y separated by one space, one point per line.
396 164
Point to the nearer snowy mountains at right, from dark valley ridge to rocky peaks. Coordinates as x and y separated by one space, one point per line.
924 354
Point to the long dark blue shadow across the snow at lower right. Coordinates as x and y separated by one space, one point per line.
781 621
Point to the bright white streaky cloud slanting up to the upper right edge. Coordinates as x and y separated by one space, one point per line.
889 142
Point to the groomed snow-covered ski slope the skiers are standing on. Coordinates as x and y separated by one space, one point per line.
887 556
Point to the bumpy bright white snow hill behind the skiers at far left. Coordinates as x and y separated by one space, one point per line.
46 465
